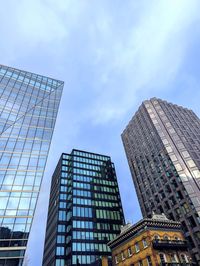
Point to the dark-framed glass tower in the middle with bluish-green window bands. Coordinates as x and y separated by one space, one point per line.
85 210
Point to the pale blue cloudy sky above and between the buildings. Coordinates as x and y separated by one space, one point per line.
111 55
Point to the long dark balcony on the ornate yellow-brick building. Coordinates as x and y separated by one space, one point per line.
170 244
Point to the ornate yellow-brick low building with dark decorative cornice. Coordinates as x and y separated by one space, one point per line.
151 242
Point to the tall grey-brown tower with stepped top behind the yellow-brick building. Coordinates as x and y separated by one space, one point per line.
162 144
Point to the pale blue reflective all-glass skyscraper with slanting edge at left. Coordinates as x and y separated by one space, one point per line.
28 109
